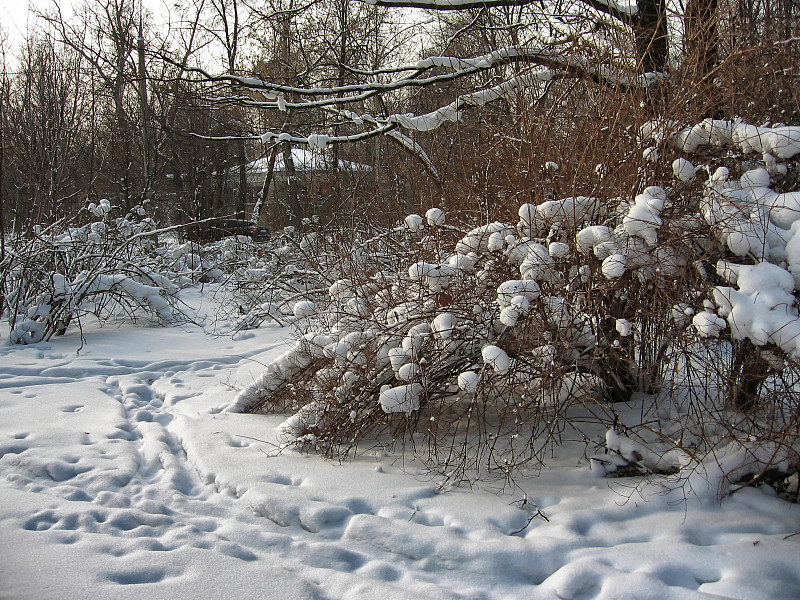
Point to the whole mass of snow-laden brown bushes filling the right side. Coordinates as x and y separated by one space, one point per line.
487 343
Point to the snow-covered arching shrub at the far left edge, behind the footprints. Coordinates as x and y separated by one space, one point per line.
107 267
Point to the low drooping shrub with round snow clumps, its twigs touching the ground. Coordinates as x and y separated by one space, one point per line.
499 316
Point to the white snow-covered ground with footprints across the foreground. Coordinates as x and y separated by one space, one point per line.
121 478
